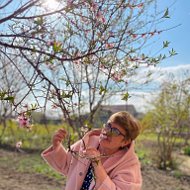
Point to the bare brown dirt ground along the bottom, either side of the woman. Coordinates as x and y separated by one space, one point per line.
153 179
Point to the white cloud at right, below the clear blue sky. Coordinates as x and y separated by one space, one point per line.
141 98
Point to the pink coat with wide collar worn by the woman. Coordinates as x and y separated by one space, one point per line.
123 168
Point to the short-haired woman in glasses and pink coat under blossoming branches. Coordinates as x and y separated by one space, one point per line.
102 160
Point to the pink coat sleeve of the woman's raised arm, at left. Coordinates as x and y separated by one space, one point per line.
59 159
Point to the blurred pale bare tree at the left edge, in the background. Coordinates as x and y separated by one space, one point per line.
12 86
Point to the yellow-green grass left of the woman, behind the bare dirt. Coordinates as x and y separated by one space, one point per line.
37 139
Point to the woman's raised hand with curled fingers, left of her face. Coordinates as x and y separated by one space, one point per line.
58 137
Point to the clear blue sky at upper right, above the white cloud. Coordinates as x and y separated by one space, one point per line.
180 36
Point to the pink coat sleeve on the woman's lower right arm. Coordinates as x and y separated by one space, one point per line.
123 180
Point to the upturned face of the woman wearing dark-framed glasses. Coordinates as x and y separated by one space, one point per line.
112 136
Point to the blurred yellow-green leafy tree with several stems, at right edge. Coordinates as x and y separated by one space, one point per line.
170 118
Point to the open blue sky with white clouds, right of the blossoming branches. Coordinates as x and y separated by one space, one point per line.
179 39
